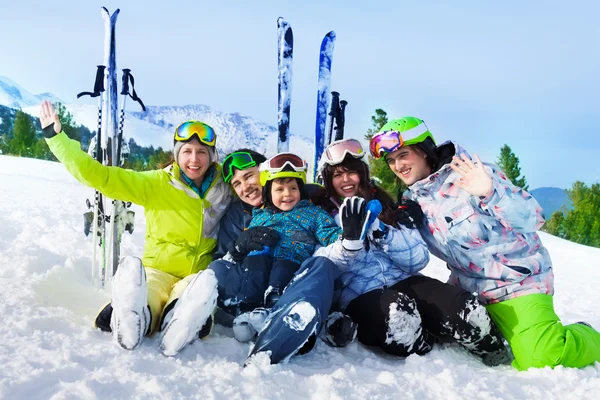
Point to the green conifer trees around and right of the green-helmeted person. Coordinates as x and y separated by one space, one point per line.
581 224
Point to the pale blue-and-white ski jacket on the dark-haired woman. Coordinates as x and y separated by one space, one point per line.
384 262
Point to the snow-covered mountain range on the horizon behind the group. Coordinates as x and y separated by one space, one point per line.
156 125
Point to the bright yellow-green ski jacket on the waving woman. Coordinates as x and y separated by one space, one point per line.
181 227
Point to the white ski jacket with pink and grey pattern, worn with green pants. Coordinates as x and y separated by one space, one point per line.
490 244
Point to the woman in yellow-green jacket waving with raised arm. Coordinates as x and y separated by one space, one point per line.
183 204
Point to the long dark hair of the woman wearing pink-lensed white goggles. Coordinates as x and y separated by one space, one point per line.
367 189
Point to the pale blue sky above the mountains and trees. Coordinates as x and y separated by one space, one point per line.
481 73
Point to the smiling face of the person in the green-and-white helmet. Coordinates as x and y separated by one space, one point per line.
409 164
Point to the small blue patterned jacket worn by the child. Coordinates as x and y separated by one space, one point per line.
301 229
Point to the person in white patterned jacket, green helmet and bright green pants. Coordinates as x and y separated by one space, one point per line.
484 227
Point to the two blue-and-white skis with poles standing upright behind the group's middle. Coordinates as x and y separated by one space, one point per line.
285 57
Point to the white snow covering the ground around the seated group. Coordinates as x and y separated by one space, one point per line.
49 348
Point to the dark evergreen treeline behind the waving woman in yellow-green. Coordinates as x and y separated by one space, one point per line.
21 135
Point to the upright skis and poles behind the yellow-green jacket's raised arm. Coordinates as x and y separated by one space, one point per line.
110 218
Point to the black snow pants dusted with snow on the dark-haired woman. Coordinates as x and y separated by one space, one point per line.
446 312
